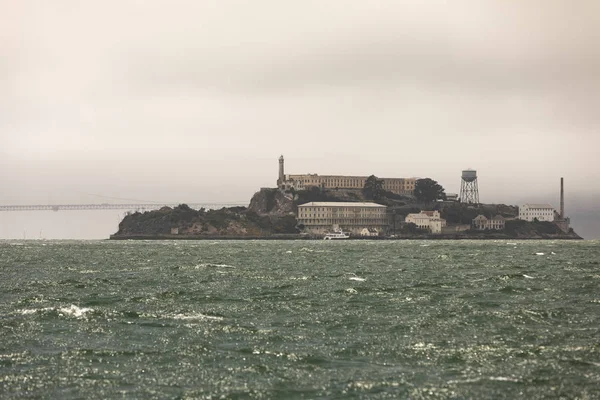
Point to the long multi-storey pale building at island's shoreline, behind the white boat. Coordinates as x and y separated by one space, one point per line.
323 217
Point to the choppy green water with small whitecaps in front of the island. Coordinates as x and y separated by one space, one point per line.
303 319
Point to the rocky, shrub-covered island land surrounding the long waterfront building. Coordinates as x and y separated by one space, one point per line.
273 213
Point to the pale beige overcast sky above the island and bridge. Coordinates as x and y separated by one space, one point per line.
194 101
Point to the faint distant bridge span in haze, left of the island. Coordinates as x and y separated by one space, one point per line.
107 206
